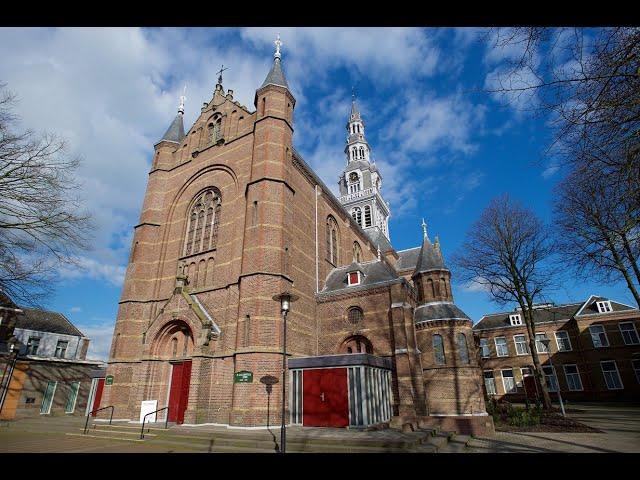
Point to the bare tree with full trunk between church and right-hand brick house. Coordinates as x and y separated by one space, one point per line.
508 251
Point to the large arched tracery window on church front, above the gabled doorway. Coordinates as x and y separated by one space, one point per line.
202 228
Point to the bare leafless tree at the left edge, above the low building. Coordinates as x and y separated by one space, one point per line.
41 222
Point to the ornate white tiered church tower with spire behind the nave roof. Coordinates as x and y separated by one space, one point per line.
360 182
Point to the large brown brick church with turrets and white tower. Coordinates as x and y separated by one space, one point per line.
232 217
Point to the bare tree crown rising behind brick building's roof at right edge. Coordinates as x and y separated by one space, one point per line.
598 231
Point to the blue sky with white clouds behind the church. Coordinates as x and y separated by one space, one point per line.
444 147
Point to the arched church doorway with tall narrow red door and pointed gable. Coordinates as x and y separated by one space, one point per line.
174 344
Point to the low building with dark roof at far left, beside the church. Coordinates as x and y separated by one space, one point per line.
46 373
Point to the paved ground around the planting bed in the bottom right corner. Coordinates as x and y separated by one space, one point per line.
620 426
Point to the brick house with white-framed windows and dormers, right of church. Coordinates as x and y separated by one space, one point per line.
594 348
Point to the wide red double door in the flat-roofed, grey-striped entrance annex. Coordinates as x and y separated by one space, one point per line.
325 398
